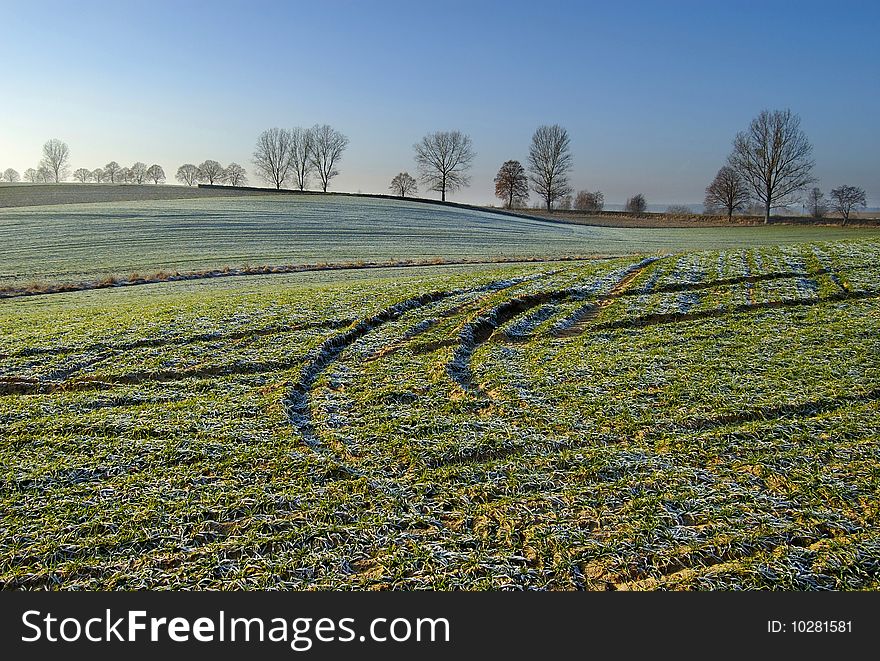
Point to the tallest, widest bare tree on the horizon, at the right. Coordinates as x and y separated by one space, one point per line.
774 158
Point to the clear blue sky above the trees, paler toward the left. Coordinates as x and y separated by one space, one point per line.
652 93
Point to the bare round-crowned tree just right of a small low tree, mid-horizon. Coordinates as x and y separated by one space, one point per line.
444 158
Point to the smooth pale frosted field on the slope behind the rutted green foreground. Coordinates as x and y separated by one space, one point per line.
84 242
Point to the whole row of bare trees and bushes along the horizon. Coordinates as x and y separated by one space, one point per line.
770 165
